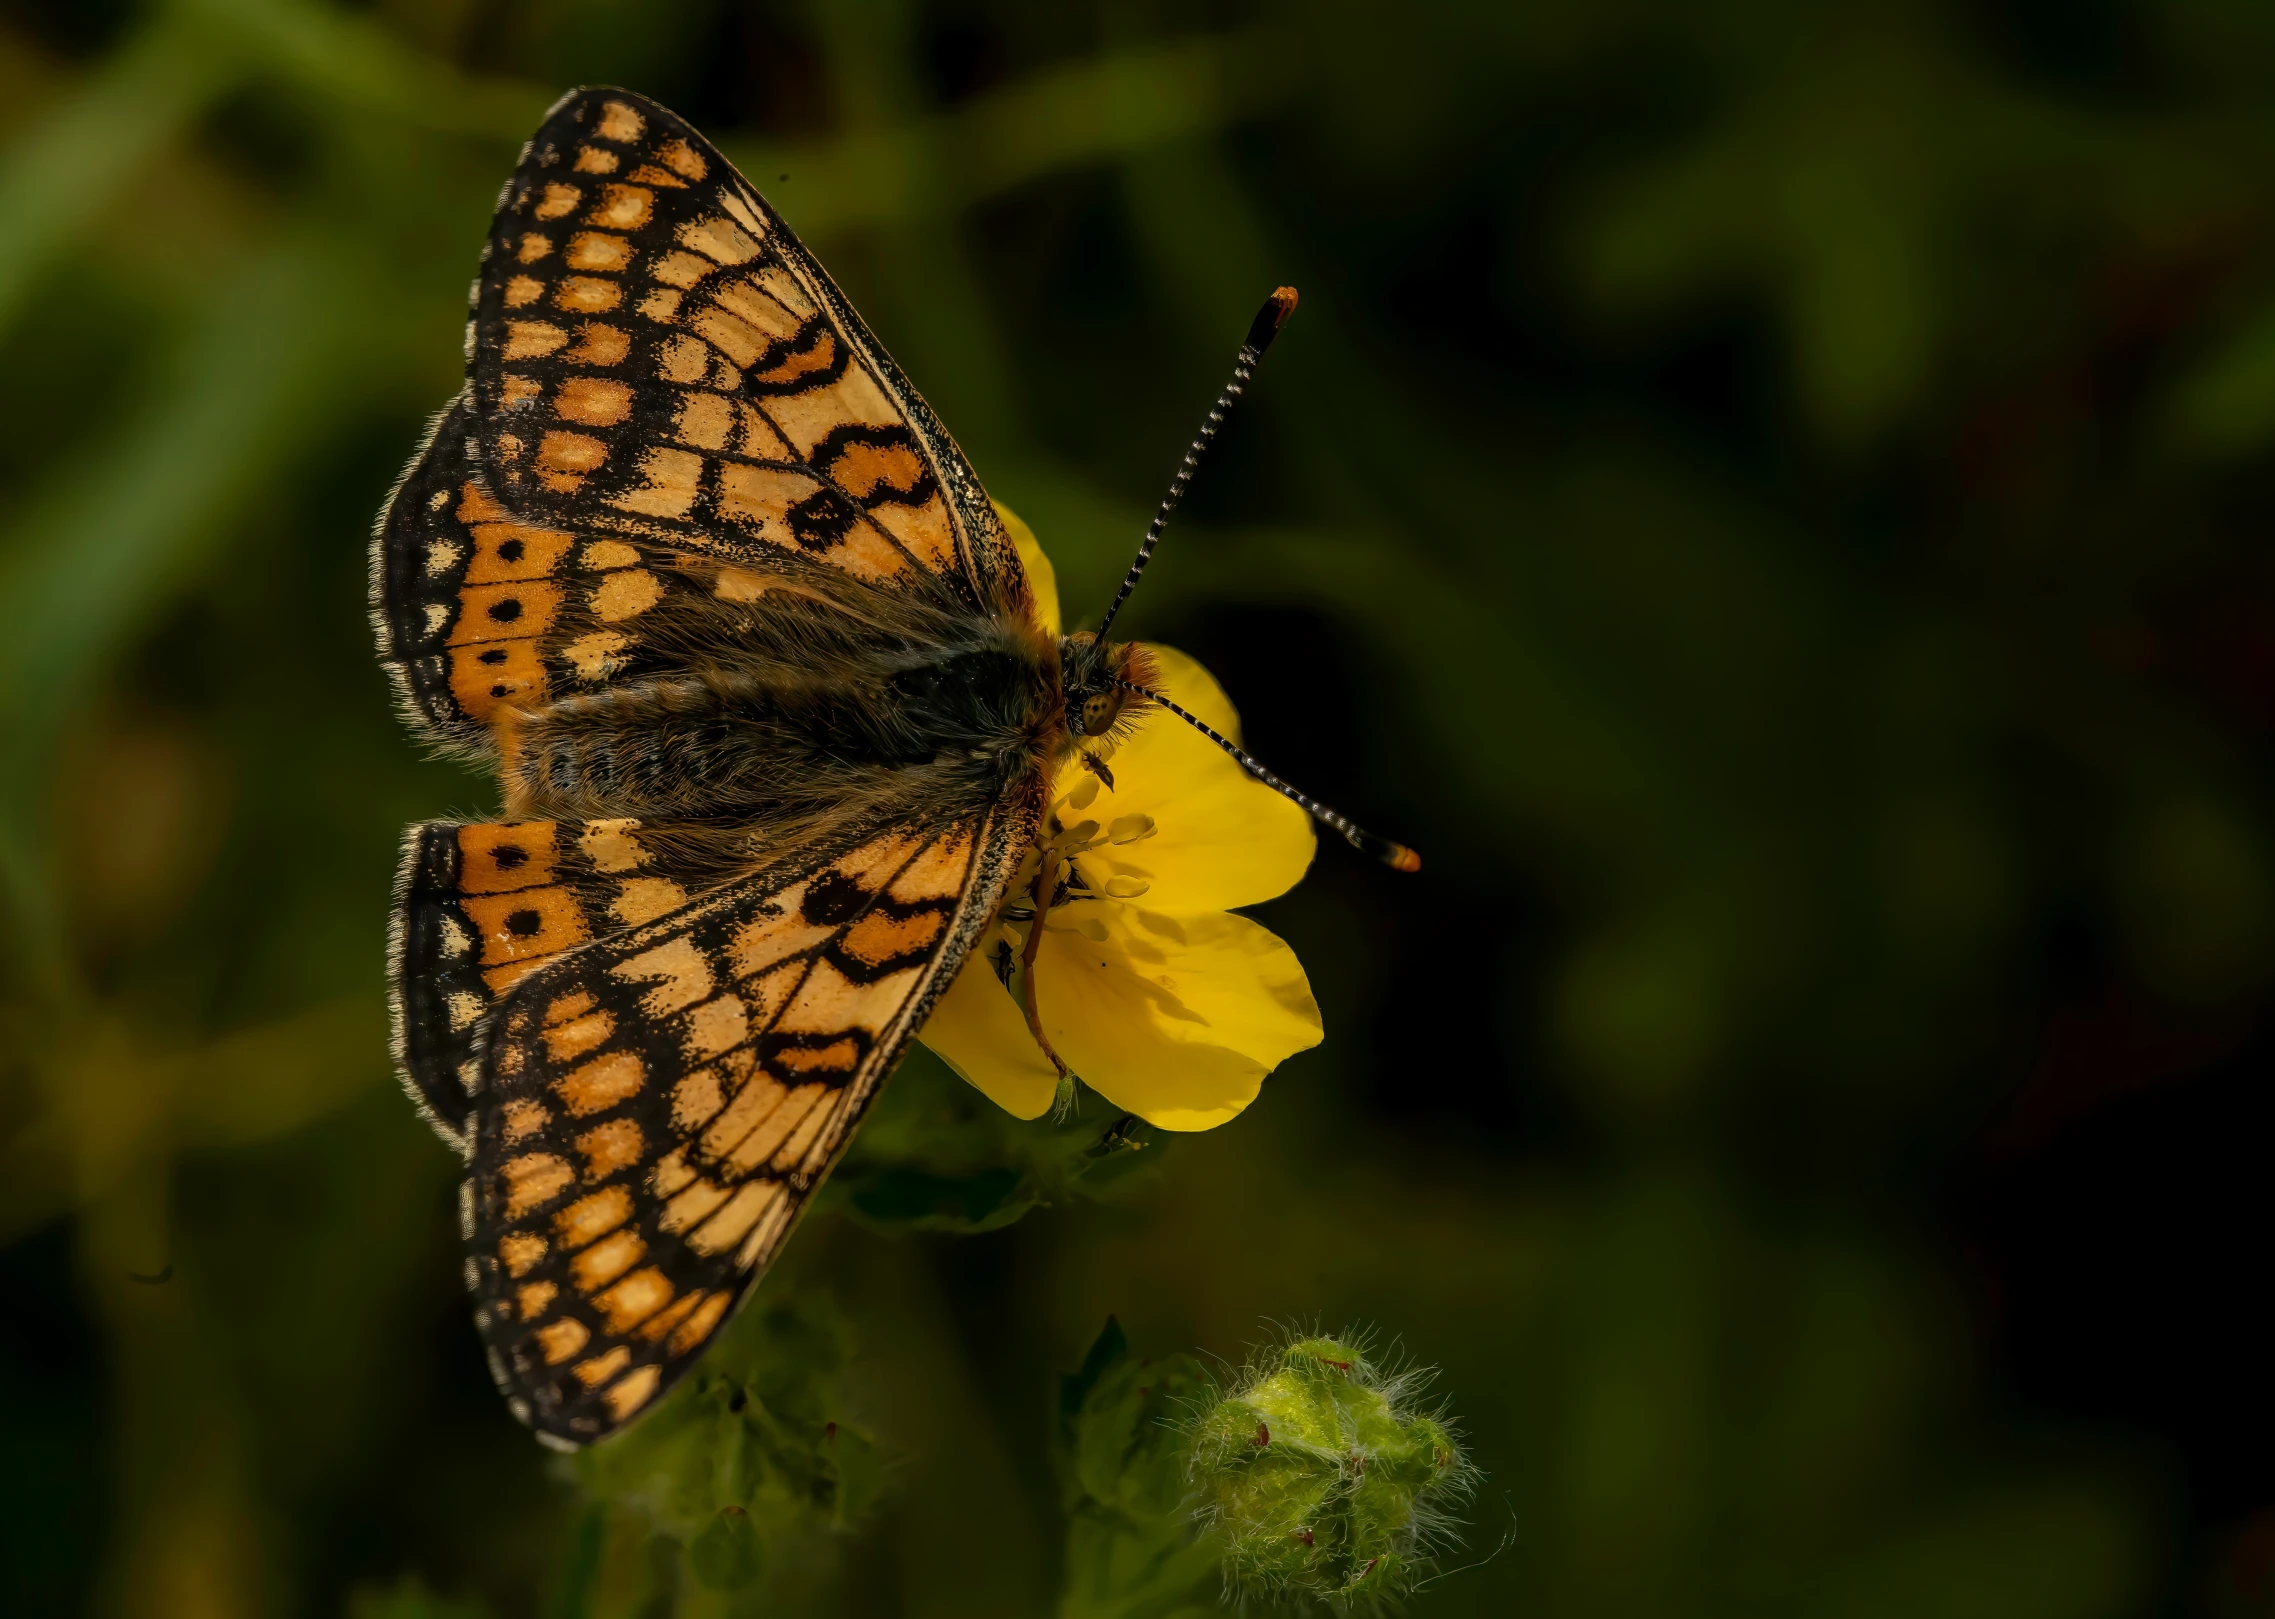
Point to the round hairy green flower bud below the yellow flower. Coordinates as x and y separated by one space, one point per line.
1321 1477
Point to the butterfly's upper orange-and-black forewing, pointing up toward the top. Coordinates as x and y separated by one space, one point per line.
654 354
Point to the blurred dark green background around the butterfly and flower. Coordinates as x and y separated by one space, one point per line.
1769 497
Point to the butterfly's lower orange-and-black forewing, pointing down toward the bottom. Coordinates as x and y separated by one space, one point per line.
663 1104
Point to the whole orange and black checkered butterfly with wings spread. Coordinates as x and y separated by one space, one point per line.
775 717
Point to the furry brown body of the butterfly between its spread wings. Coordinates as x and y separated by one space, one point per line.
781 720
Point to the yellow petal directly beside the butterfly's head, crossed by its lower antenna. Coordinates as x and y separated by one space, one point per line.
1223 838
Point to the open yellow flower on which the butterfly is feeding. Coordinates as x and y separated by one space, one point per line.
1145 986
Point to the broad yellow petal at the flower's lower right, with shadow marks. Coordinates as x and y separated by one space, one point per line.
1175 1018
